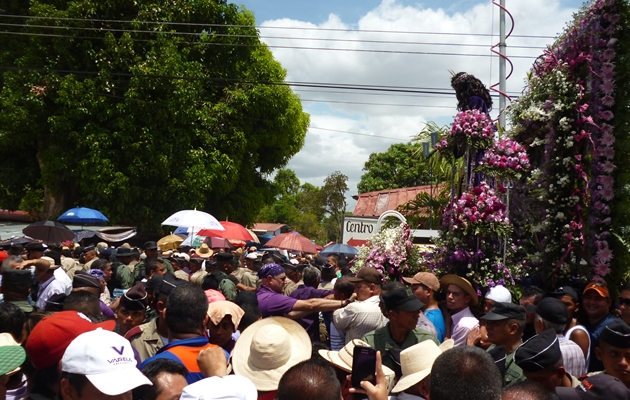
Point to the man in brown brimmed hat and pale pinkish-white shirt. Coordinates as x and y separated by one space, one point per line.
460 295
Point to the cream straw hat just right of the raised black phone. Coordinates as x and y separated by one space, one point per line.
416 362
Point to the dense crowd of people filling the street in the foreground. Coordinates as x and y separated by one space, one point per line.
126 323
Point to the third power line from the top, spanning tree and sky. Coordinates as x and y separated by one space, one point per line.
284 47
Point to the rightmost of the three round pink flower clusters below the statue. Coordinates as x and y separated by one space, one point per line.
505 158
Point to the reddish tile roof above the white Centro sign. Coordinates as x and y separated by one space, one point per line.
373 204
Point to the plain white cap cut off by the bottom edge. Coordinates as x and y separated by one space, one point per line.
231 387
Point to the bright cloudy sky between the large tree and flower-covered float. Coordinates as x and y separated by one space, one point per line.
326 151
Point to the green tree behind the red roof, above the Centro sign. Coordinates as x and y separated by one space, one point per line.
398 167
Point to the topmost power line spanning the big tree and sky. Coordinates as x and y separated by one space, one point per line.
263 26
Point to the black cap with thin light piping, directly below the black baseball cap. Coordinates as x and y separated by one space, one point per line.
539 352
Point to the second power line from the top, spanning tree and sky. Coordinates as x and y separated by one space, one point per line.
229 35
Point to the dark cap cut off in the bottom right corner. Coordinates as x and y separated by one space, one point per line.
596 387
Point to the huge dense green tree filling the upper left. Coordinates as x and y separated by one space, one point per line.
142 108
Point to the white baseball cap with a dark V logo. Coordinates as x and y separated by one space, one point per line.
107 361
